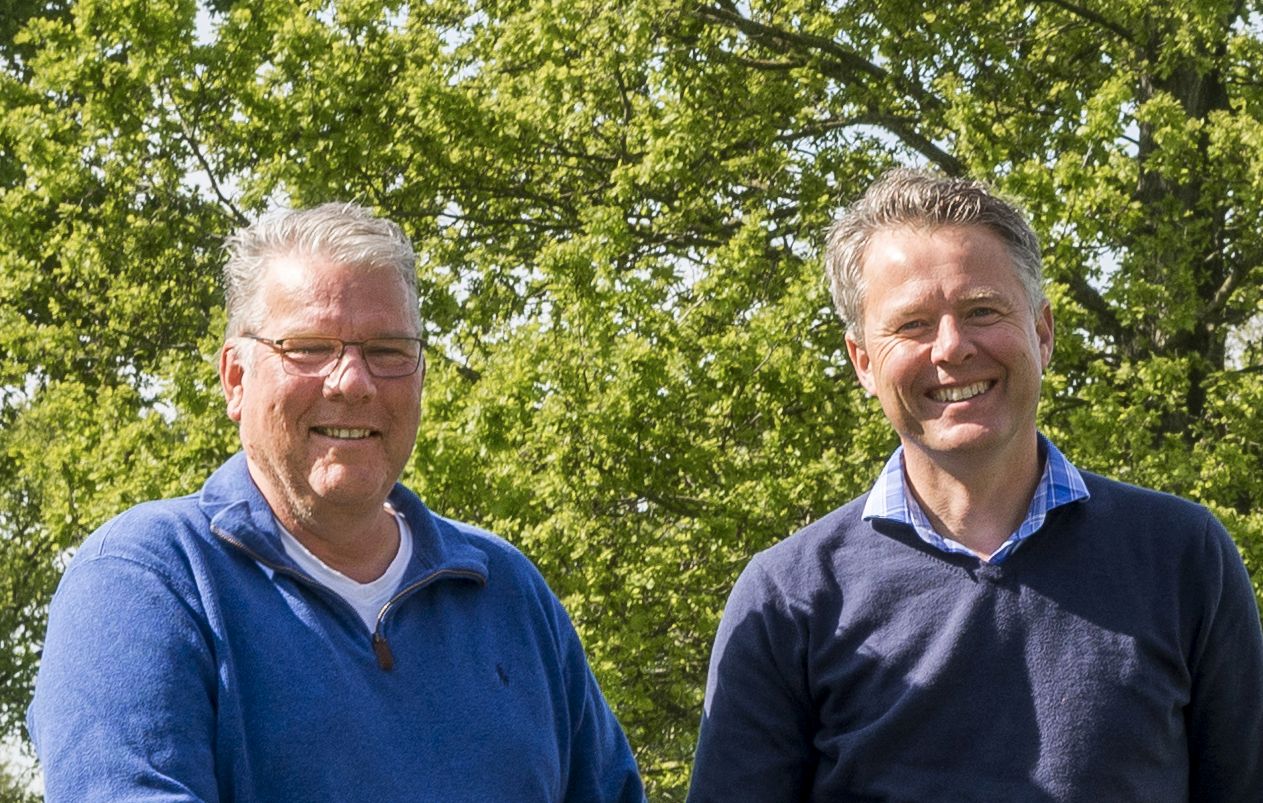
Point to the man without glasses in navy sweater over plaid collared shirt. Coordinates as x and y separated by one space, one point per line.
987 623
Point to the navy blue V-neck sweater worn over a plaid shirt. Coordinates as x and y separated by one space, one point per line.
1117 656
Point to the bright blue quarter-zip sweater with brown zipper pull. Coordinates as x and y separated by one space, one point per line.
189 660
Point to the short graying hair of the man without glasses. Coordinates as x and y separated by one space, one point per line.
914 199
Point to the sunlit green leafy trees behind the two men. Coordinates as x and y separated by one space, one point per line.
635 374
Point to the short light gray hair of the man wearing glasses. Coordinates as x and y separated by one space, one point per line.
347 234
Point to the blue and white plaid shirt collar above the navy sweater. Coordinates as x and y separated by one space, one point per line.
1062 484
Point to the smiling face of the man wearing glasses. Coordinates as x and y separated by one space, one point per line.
335 445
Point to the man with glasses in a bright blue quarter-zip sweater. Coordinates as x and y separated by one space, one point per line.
304 628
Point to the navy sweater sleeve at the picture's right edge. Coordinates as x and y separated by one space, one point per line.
1224 717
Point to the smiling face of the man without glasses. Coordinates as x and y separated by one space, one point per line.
952 347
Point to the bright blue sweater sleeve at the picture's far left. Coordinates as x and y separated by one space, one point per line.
123 706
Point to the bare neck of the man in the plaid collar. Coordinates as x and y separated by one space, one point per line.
976 503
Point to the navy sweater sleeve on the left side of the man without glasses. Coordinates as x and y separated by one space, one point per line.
756 742
